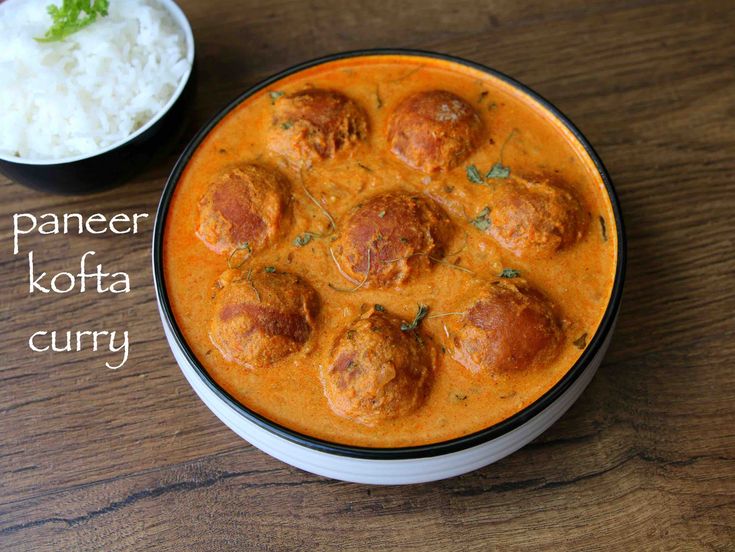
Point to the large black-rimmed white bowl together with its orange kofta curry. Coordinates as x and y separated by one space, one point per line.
389 266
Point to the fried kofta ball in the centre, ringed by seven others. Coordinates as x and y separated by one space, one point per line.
395 235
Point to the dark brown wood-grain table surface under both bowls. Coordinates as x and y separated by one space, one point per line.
96 459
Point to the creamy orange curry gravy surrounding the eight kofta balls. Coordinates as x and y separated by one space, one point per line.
578 280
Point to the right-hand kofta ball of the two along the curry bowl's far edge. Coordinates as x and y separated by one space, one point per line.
434 131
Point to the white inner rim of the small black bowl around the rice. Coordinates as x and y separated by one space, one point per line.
179 17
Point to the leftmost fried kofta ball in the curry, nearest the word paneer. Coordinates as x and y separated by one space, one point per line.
246 204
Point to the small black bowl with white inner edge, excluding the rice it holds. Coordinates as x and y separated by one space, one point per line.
118 162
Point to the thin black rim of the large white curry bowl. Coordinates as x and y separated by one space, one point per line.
412 452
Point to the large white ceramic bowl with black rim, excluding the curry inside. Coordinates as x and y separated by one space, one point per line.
396 465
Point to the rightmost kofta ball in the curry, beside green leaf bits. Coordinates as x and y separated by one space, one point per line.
536 218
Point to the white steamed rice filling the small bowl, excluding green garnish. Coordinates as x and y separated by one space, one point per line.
91 90
